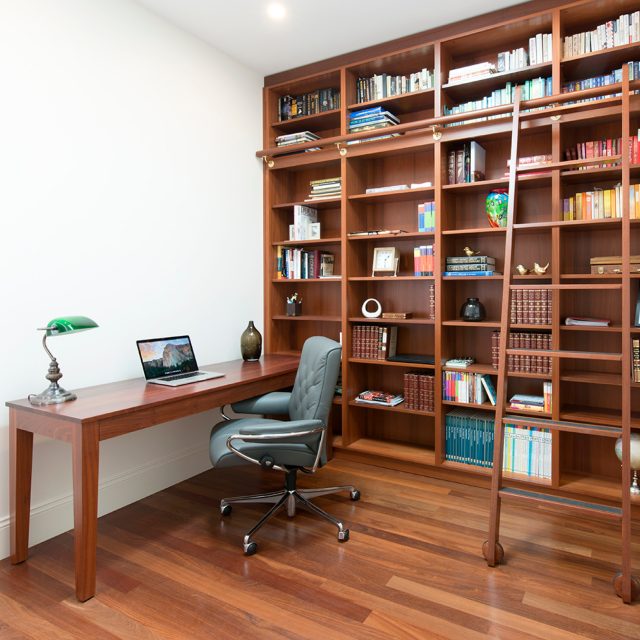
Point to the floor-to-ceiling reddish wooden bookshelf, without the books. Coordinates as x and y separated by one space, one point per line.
594 389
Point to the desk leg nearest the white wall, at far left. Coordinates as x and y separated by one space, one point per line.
20 462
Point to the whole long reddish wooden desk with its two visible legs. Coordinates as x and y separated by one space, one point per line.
107 411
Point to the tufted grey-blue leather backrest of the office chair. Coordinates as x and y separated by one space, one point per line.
316 379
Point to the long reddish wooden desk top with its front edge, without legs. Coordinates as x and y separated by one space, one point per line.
108 400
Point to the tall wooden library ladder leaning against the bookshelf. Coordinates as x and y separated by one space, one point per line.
625 584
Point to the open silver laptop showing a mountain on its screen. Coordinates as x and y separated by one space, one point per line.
171 362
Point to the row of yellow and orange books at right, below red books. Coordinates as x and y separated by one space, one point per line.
601 203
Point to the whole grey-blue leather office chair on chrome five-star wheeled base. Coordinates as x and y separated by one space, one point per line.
291 445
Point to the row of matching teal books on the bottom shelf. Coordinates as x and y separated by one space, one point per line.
469 437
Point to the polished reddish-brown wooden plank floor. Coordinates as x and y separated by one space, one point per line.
170 567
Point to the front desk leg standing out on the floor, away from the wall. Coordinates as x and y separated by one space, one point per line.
86 453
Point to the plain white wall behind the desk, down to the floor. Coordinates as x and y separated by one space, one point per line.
125 145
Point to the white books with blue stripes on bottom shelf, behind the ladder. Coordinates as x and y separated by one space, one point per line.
527 450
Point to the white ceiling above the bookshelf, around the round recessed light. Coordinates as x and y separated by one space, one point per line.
310 31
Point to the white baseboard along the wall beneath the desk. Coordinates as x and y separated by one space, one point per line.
53 517
